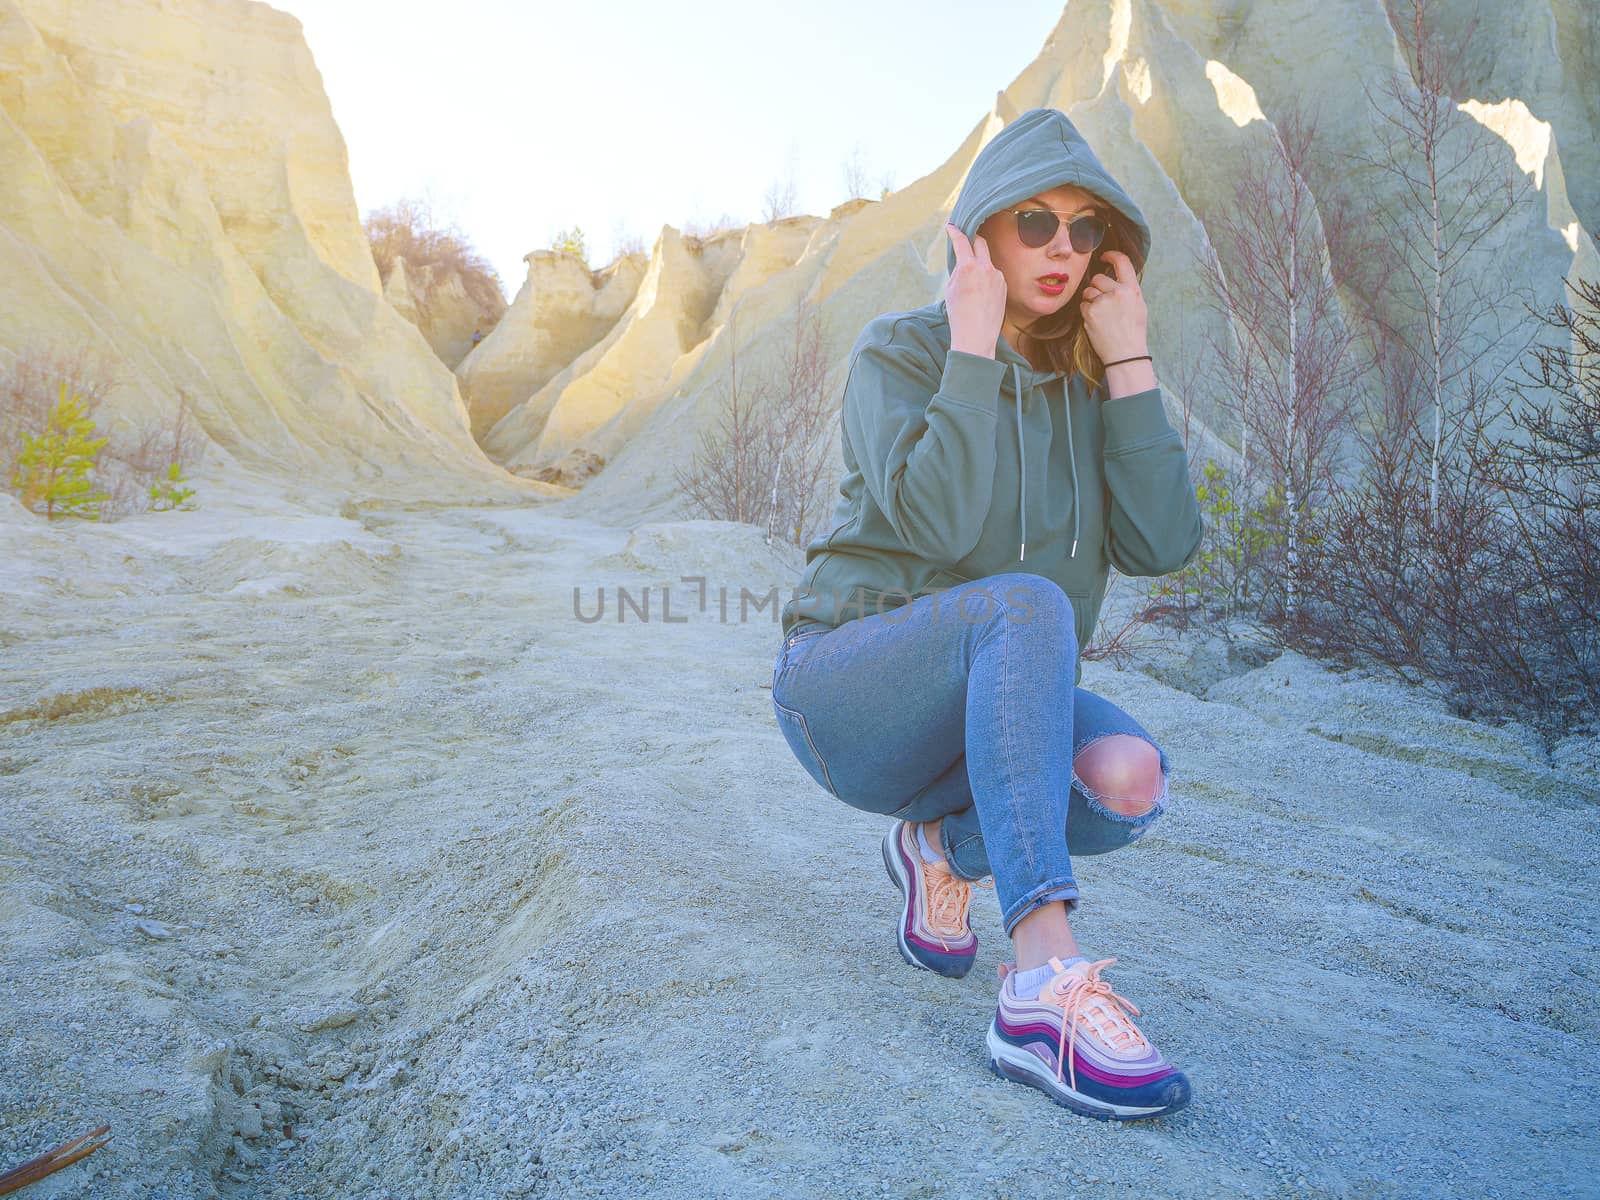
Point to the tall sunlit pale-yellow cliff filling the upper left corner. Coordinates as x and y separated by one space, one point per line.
177 198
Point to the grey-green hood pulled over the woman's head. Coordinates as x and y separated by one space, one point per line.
1039 151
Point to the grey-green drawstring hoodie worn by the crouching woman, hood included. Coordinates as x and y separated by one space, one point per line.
938 490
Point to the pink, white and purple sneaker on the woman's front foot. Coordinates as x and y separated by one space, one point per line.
1079 1047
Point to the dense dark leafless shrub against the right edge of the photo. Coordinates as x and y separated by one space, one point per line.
1481 572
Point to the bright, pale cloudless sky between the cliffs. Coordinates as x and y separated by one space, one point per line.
516 121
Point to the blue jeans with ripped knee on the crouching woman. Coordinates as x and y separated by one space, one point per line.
961 705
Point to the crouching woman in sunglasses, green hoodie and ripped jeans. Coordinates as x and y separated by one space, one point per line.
1004 449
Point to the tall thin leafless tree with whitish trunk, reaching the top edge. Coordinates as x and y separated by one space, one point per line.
1457 185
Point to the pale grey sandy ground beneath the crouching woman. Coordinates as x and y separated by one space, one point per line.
340 860
